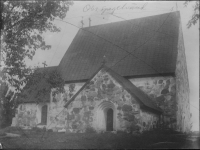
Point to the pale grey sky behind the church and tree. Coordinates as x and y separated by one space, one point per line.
98 12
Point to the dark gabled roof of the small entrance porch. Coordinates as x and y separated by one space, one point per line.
140 96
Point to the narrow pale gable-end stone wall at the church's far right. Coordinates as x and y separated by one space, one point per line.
182 85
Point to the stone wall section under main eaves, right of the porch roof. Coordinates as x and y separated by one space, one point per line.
162 90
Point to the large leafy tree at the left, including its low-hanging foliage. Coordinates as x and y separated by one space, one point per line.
22 26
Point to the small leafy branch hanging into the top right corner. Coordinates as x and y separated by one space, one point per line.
195 16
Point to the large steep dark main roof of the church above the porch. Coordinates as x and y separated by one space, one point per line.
152 40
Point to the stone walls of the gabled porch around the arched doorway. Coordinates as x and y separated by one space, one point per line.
88 110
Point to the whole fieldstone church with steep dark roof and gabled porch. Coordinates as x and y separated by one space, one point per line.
123 76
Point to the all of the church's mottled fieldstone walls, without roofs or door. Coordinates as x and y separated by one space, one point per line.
90 107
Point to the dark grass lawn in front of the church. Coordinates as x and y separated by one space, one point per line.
53 140
